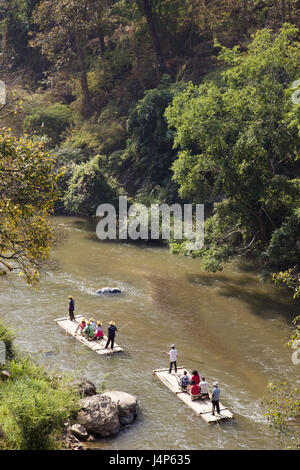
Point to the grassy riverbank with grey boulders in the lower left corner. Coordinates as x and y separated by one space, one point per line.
43 410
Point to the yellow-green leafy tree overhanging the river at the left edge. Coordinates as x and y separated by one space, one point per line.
27 193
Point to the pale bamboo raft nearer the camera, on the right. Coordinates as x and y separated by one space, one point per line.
202 407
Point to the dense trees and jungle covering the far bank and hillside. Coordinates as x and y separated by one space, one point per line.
166 101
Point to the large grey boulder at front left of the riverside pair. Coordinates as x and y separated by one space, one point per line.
99 415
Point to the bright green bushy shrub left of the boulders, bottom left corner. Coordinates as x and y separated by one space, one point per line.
34 406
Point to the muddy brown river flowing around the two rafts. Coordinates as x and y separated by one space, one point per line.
229 326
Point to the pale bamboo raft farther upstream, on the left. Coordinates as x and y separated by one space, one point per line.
96 345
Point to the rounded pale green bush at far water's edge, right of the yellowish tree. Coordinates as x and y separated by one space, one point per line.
87 189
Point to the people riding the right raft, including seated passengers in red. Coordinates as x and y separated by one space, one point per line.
197 388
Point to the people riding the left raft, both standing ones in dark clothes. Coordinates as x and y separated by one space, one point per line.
92 329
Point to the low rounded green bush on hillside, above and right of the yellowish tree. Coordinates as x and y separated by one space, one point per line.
51 121
